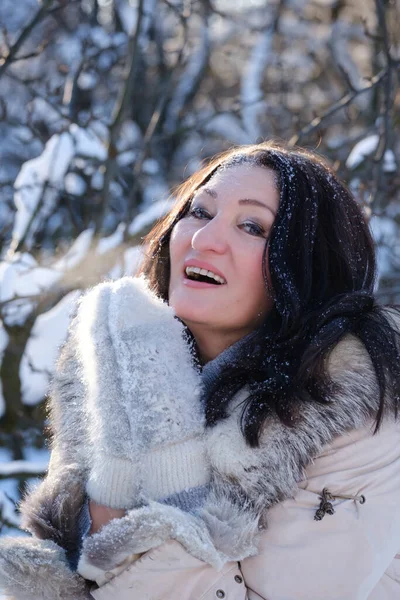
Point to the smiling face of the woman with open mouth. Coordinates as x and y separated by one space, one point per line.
224 235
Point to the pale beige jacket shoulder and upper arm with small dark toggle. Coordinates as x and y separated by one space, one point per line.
351 547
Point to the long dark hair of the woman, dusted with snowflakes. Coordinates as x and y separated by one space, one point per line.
322 269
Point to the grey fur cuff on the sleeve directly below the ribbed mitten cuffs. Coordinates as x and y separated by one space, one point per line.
234 535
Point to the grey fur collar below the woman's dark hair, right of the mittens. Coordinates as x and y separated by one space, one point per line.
269 473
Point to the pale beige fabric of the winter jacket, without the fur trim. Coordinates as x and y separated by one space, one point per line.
353 554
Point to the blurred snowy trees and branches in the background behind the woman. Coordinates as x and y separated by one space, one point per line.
107 104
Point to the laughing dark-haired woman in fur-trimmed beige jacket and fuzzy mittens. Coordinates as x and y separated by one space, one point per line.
269 266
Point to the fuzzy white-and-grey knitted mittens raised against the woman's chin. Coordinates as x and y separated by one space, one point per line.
144 417
